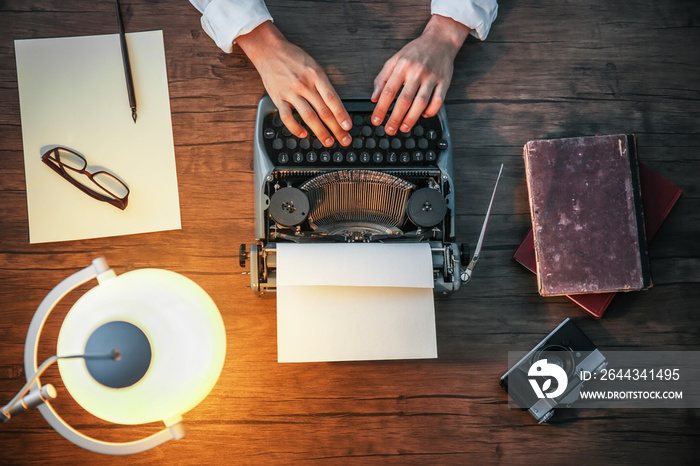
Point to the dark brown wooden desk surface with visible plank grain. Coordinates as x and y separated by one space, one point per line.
546 70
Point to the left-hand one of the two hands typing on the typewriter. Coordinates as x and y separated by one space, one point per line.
295 81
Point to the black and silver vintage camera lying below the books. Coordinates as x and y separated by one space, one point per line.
550 374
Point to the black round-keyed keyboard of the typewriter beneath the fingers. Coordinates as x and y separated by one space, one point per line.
370 147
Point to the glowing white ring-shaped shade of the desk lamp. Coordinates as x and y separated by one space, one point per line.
187 338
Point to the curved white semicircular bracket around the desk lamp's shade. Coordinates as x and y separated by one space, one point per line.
100 270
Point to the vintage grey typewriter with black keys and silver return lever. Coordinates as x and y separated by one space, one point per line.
381 188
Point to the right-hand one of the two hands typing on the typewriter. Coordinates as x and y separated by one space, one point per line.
424 69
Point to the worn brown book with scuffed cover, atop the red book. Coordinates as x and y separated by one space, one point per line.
587 215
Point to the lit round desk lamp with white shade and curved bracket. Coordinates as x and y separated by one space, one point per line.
144 346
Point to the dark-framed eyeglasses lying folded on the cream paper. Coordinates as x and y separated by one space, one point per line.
100 185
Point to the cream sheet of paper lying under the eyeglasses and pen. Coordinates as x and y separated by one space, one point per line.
72 93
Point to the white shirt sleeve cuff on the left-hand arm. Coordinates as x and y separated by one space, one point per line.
224 20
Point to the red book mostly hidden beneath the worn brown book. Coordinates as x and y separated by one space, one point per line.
658 196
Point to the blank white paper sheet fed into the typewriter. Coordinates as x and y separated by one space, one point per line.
355 301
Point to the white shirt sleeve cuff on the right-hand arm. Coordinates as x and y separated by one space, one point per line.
475 14
